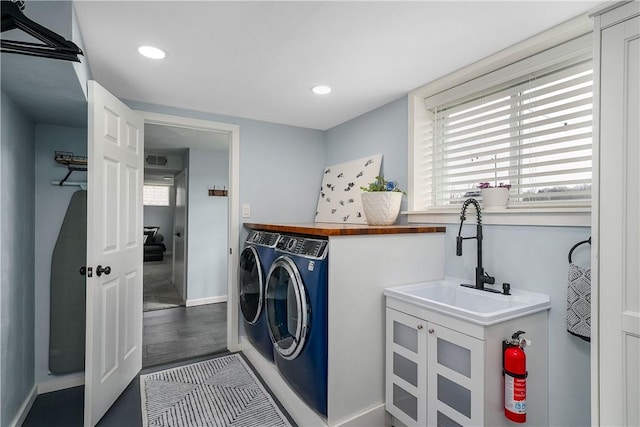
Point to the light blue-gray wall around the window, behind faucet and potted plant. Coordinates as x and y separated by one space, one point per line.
532 258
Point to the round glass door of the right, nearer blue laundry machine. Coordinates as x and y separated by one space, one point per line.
288 310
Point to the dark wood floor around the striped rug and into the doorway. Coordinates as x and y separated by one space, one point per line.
171 337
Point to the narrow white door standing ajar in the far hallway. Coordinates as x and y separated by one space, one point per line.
180 235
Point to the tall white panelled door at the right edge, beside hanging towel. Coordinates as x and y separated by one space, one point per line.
619 235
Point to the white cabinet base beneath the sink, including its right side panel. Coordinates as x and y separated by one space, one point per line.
445 371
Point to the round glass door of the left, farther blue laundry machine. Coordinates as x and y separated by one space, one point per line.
250 285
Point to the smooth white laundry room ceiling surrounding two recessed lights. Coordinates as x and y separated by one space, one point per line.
259 59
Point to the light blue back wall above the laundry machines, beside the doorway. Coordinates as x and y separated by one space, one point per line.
281 166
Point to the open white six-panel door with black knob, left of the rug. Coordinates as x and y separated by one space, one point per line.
114 251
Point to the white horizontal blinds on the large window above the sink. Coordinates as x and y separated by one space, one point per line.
532 132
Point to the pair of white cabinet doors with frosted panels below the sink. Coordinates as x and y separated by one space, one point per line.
427 359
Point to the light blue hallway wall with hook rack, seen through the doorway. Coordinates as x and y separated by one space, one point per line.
207 225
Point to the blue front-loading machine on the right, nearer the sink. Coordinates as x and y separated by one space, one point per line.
296 302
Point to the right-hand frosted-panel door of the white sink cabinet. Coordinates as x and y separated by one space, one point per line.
456 378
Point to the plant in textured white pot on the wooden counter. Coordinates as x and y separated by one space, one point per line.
381 201
